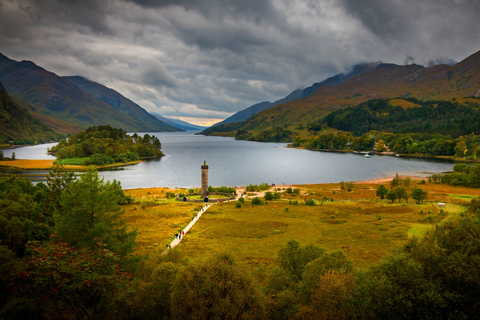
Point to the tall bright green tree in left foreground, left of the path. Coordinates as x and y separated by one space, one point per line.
89 211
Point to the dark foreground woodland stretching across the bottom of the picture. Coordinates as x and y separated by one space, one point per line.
66 253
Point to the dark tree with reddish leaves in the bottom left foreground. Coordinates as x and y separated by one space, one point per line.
76 282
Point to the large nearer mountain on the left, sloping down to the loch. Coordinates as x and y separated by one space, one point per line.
57 97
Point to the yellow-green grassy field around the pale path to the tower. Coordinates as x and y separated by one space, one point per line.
358 222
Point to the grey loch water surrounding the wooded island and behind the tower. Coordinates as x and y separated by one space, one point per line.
240 163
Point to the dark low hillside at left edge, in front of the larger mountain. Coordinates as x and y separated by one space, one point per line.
17 126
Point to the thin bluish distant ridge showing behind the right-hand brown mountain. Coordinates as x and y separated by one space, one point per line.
298 94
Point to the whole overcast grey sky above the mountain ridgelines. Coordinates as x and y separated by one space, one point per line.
203 60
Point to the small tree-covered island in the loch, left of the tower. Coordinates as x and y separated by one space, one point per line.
100 145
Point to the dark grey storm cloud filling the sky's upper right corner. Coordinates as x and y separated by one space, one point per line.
438 22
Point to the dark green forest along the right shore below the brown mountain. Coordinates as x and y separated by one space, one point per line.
433 128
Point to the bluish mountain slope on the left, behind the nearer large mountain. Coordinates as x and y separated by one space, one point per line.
119 102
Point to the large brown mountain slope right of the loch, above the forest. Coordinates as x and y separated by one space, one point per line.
387 81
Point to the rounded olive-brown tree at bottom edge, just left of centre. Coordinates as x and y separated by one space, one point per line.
218 288
